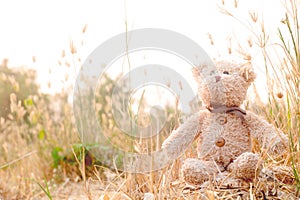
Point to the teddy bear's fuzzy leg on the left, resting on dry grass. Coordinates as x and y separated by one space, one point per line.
197 171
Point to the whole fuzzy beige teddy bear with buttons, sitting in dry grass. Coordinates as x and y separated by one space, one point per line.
223 130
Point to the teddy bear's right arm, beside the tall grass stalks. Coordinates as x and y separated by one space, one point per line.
267 135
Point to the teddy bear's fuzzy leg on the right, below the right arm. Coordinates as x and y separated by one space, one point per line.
246 166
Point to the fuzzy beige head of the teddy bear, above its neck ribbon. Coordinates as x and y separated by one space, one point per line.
223 84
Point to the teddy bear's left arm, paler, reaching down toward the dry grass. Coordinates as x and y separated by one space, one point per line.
182 137
